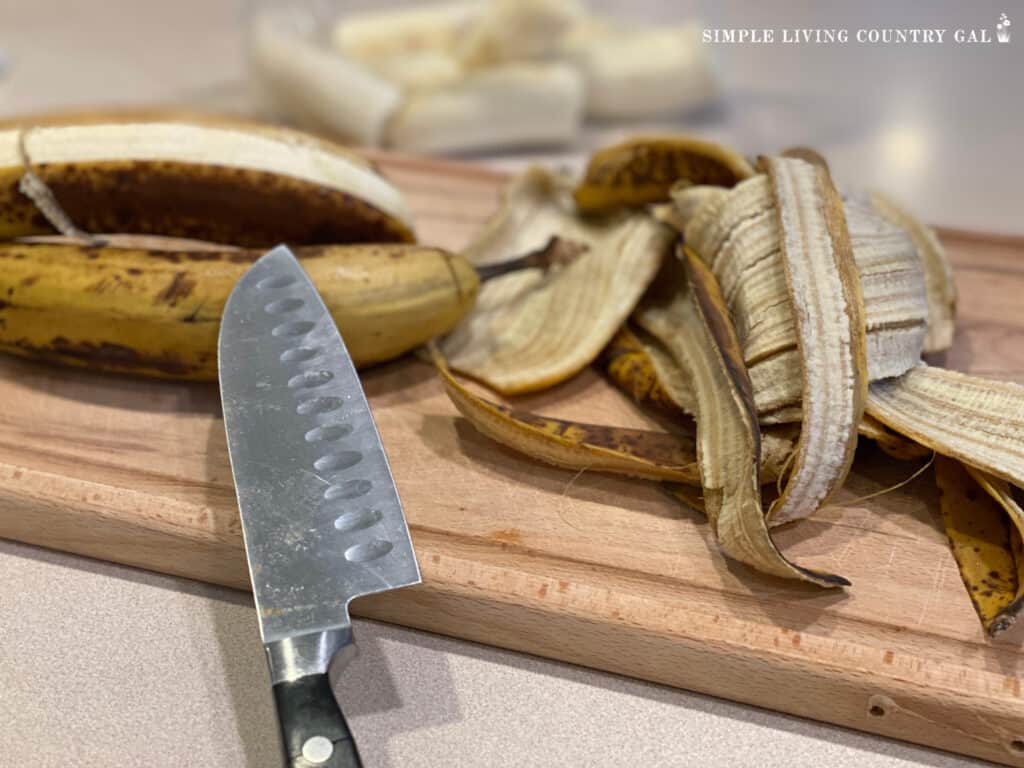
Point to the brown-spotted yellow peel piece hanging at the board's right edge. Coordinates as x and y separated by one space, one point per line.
986 542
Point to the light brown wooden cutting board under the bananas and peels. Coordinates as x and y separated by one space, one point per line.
600 571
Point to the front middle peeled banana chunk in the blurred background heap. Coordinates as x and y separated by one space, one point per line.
517 105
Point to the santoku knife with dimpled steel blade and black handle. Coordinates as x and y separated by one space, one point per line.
321 517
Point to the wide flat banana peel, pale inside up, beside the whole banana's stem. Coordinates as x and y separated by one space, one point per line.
531 330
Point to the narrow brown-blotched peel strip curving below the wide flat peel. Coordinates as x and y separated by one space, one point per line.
637 453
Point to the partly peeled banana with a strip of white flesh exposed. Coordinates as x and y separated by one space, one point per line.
226 184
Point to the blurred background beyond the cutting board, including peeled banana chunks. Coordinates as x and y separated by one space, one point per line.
936 125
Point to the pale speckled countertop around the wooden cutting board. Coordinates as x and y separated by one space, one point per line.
108 666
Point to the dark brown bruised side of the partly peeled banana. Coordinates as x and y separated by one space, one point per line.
240 206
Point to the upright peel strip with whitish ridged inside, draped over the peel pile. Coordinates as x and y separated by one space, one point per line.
825 288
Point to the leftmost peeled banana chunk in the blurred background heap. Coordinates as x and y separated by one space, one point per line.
318 87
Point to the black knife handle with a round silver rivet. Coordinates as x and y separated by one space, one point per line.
309 714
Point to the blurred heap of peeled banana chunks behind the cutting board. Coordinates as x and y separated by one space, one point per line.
391 75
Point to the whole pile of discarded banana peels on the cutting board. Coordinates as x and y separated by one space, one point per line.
777 320
